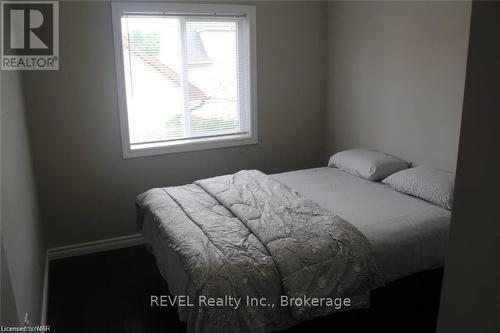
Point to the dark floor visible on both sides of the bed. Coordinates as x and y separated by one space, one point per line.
110 292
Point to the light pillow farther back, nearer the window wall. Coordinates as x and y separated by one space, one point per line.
366 164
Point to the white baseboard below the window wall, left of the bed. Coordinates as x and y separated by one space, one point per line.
93 247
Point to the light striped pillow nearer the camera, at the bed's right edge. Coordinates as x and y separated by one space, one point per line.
425 183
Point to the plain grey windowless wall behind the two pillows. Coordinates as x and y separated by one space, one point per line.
396 73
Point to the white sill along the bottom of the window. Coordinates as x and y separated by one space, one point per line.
189 145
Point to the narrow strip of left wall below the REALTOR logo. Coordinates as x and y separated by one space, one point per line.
23 248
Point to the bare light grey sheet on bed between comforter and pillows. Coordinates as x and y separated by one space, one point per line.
408 235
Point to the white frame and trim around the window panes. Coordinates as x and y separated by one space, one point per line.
250 56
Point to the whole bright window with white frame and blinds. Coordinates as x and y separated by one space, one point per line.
186 76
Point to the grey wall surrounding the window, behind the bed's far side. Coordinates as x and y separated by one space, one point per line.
87 189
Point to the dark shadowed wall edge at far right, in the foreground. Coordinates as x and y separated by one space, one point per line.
470 299
